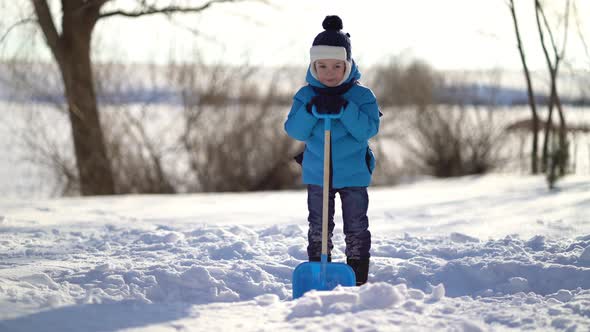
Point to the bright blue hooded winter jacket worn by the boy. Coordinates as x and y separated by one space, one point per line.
352 160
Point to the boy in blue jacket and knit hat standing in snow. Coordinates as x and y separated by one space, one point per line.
333 87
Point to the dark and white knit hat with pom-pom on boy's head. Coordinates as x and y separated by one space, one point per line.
331 43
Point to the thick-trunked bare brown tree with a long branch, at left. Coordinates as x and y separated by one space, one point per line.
71 49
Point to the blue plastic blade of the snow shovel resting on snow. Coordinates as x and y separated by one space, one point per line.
321 276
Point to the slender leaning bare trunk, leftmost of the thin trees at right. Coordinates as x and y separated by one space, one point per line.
530 91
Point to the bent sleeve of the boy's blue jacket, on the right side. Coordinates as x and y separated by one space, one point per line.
362 121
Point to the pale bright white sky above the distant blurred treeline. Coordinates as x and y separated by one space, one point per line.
453 34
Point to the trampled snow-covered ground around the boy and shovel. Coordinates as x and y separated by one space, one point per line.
491 253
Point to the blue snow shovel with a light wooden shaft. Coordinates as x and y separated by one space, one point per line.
323 275
